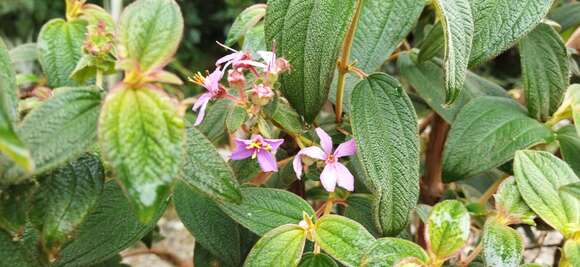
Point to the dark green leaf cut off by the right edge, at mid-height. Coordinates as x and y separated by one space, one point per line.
570 146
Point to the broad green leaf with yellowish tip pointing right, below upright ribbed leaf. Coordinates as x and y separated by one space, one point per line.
486 133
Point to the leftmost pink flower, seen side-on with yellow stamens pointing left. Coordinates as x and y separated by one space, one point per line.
214 90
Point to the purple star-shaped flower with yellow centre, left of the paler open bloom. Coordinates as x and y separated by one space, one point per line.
261 148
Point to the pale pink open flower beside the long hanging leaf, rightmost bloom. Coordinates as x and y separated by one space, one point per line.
334 172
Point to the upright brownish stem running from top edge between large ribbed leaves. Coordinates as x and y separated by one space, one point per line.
343 66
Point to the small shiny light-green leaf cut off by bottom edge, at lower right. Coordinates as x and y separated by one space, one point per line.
502 245
